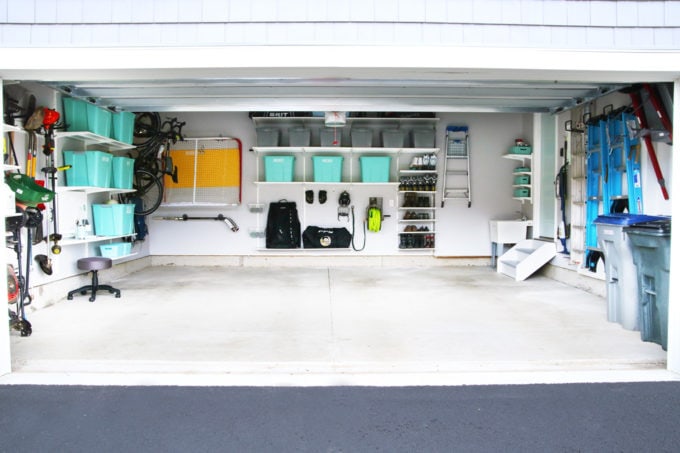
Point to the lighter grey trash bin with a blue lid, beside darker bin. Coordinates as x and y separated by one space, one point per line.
620 271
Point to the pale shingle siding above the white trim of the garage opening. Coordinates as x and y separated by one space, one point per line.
564 24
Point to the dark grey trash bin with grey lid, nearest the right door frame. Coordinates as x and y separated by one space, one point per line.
652 255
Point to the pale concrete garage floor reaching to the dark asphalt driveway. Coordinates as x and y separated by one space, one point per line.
177 325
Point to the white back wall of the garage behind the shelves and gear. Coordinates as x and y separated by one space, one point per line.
462 231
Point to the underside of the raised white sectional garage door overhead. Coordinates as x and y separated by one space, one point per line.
331 93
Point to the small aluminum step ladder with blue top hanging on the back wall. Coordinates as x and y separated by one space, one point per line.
456 180
